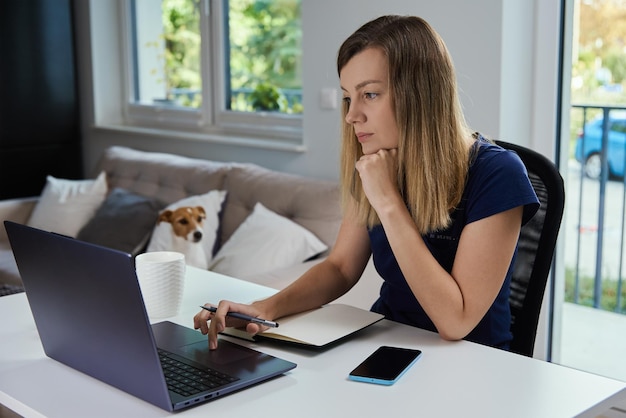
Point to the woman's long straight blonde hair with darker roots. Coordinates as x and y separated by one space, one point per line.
433 157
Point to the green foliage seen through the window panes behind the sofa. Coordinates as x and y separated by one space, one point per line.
265 54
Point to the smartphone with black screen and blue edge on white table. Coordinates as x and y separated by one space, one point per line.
385 365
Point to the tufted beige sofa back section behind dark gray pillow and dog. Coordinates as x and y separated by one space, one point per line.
167 177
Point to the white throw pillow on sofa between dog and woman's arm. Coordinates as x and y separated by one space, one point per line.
265 241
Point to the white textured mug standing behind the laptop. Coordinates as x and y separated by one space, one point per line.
161 276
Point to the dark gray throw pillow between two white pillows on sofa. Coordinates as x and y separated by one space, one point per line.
124 222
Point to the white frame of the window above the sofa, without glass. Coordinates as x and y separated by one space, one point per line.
212 121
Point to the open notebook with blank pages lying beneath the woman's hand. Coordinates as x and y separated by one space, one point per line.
315 328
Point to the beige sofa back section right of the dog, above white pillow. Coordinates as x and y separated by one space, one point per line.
311 203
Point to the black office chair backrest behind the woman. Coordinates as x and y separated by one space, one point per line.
535 248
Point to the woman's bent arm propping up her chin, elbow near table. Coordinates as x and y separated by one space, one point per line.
457 301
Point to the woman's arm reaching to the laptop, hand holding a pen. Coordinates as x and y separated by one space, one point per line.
321 284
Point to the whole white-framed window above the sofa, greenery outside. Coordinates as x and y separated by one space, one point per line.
225 67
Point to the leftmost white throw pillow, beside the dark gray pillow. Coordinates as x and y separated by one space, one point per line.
65 206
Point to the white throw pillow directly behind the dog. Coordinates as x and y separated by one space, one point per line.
197 254
